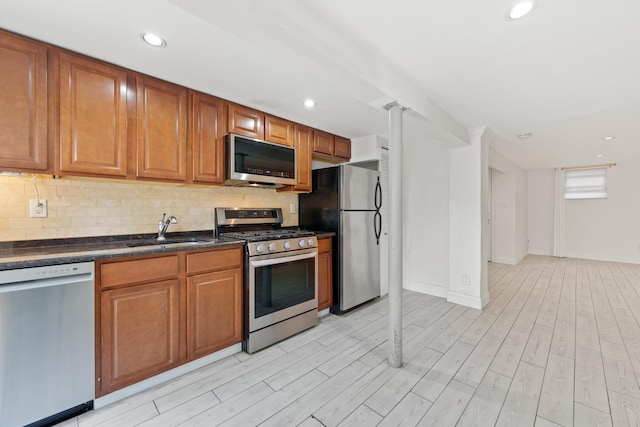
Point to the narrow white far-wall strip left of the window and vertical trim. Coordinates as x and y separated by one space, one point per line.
540 208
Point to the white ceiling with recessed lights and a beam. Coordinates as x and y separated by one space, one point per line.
569 73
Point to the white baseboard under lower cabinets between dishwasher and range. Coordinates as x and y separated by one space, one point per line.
165 376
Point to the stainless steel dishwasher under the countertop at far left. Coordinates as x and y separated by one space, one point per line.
46 343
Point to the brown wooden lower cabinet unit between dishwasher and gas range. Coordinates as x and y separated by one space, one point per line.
155 313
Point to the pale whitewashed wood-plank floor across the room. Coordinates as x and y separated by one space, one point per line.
559 344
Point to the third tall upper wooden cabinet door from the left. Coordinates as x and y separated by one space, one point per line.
161 115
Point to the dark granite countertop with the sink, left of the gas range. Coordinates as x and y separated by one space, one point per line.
36 253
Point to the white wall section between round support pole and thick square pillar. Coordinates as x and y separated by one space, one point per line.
426 218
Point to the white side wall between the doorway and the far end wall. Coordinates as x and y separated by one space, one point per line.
509 200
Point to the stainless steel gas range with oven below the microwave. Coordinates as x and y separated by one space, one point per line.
281 274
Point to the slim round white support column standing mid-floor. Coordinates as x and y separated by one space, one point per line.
394 358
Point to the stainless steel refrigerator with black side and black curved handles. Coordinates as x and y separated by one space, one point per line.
346 199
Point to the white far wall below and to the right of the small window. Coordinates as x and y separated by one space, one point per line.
607 229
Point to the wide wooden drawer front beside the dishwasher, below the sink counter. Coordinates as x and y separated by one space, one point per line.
138 271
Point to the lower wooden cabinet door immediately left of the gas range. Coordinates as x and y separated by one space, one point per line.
214 311
